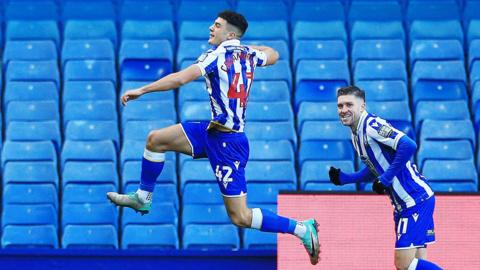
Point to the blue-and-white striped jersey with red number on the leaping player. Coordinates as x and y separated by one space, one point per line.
228 71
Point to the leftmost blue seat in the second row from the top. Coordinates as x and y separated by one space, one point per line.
33 30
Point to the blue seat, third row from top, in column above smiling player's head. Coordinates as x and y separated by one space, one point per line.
375 49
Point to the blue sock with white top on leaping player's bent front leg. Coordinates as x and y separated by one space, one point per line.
152 166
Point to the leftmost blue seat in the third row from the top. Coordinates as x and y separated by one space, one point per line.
35 50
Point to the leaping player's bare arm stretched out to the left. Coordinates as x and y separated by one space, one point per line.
169 82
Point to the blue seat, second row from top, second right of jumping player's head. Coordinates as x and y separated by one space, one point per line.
324 30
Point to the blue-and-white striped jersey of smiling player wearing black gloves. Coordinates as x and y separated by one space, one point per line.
375 141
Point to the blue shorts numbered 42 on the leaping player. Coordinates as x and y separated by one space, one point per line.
227 153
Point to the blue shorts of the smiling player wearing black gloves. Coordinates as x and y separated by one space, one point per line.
414 226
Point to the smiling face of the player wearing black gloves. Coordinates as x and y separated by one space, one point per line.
350 109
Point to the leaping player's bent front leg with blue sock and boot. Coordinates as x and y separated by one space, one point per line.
172 138
